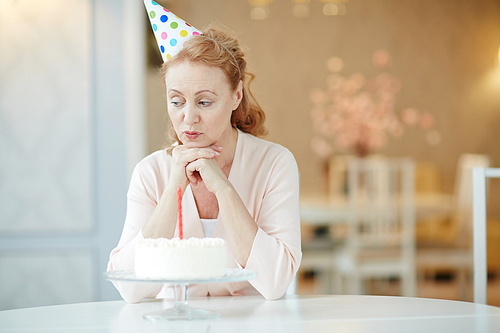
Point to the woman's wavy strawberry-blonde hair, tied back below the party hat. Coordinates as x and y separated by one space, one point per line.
216 47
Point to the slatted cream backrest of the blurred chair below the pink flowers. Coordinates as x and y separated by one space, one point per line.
381 190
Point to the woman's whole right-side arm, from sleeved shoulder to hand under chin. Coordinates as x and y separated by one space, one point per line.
271 243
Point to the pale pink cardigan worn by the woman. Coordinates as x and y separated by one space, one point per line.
265 175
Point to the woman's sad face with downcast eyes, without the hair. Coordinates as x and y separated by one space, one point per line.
200 104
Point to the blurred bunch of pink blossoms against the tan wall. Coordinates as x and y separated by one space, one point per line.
359 113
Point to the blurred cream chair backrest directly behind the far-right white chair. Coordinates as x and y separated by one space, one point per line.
462 196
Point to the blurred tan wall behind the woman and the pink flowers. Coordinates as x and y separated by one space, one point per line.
445 53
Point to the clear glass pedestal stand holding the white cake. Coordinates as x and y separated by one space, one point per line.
181 310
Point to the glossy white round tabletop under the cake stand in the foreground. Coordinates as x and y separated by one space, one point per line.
333 313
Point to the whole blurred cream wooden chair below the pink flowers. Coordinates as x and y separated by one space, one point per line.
380 242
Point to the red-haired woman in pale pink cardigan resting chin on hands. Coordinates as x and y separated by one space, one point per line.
235 186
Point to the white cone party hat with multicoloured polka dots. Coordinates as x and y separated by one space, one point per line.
171 32
